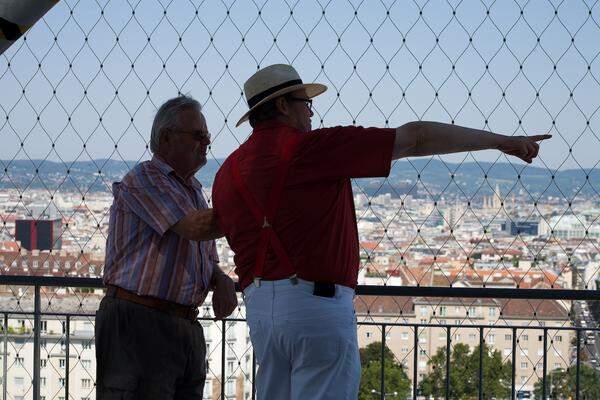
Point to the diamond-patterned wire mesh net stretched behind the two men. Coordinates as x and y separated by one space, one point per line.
79 91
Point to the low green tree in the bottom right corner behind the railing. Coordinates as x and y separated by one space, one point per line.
560 383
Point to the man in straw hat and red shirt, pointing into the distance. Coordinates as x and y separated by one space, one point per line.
284 201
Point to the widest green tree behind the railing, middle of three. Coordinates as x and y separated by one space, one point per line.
464 374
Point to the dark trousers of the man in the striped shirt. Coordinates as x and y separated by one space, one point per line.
146 354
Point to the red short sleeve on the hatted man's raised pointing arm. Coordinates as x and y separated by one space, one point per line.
345 152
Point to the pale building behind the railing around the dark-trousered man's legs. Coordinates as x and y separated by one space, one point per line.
72 368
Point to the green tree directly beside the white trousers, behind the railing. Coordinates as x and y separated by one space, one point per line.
396 379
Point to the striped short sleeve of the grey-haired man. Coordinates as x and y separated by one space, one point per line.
157 206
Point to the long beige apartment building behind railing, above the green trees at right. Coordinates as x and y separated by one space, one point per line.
460 314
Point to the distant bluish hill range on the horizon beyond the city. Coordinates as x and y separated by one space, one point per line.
416 176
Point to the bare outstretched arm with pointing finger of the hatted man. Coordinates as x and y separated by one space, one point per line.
423 138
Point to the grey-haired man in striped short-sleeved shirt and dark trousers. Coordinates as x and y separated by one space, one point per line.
161 261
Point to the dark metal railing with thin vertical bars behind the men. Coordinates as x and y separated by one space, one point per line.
38 282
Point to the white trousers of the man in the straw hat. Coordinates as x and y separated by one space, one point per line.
305 345
